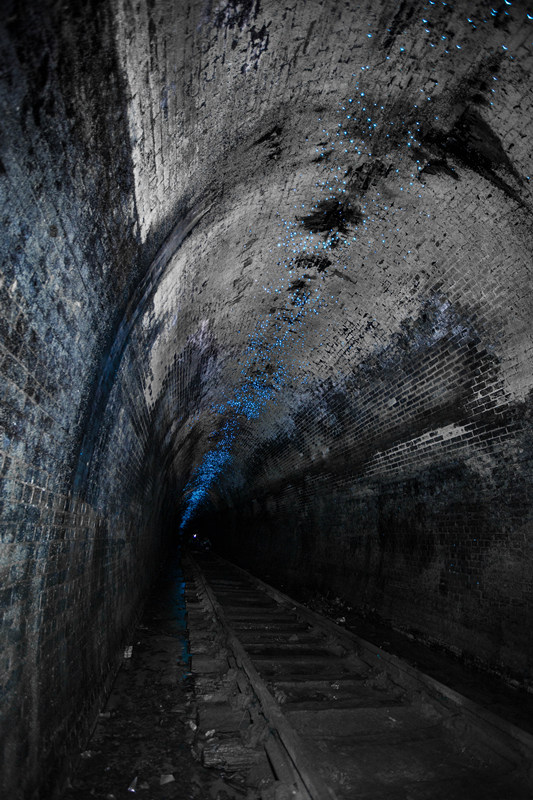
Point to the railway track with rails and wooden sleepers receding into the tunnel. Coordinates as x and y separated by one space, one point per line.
290 705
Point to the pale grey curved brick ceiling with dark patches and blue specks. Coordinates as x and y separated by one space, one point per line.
357 184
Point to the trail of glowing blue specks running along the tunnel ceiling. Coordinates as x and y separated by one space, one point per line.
361 141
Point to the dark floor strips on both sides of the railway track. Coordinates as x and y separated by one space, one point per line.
142 743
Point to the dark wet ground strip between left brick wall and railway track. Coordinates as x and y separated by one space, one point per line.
142 741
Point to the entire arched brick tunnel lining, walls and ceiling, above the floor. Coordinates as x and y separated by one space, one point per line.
266 281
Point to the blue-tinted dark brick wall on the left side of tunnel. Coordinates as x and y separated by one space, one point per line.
75 560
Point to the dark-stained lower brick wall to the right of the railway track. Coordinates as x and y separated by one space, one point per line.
421 518
